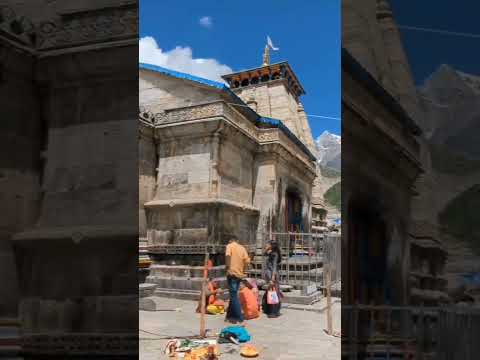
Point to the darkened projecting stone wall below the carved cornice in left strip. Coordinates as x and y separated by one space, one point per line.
85 229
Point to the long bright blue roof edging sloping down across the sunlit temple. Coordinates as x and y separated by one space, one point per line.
245 109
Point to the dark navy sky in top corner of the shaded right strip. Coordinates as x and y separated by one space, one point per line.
427 51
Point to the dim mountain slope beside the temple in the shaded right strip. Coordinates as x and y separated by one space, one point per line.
450 101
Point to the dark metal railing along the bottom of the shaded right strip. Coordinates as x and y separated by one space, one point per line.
407 332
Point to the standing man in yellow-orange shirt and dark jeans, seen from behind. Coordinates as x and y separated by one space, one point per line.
236 261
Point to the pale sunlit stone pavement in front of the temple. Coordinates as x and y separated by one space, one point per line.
297 334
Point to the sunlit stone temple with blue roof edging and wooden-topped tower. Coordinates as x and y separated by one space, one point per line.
218 160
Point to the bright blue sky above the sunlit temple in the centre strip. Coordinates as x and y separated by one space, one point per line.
234 34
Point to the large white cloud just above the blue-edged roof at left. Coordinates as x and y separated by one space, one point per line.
180 59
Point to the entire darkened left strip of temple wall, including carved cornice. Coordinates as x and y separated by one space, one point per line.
68 177
